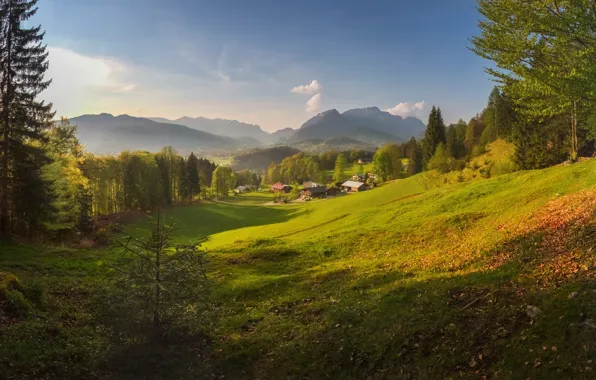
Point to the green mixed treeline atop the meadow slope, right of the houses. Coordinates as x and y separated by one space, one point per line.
450 147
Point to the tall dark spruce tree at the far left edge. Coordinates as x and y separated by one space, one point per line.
23 118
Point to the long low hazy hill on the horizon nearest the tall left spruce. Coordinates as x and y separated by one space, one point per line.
106 133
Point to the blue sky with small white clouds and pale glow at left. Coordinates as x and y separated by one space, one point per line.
272 63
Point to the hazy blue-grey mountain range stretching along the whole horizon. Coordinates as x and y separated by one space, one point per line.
105 133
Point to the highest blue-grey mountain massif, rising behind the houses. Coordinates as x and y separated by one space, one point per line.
369 125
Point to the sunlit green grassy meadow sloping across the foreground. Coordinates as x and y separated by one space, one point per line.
492 277
